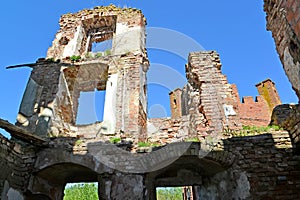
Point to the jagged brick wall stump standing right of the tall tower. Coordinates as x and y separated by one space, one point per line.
208 102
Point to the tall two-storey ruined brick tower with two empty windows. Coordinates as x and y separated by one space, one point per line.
74 65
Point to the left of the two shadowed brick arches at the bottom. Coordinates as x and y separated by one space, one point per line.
56 167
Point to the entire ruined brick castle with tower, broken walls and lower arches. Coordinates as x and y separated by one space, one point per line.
48 149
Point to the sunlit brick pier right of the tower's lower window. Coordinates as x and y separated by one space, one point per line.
131 102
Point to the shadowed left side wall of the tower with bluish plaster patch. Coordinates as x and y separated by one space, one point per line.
37 103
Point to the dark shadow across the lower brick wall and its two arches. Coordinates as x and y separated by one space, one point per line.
252 166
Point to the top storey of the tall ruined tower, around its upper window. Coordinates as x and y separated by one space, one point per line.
125 27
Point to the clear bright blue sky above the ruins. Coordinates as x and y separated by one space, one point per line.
235 29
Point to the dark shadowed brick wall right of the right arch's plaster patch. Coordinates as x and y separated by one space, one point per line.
271 167
